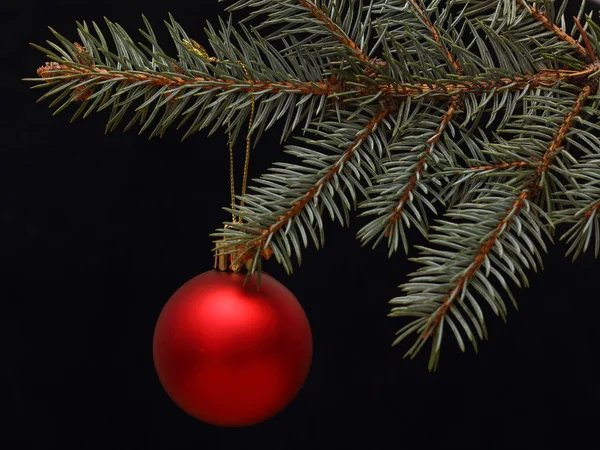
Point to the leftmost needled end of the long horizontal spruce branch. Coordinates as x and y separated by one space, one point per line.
218 94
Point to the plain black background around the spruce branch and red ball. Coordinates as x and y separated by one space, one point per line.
98 230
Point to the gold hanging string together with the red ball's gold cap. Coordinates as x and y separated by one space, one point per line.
221 259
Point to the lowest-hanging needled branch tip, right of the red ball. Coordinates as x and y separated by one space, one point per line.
494 234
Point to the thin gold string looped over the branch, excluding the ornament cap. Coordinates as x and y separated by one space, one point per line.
196 48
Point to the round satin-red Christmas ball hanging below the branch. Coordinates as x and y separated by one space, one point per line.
231 355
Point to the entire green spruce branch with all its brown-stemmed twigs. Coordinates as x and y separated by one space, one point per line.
472 121
